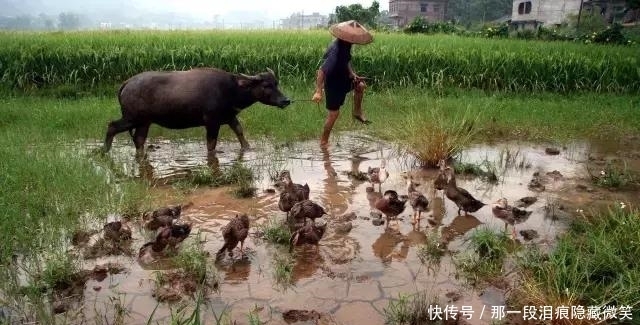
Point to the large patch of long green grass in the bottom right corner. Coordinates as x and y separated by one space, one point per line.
594 264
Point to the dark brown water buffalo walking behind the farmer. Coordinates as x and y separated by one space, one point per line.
206 97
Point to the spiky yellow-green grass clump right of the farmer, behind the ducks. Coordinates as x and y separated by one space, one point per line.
430 135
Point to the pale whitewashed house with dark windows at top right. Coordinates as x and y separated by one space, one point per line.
528 14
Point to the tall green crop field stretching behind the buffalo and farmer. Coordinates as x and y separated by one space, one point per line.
91 59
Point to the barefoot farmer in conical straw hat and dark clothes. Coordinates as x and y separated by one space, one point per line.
337 77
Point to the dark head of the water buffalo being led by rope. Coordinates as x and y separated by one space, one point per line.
264 88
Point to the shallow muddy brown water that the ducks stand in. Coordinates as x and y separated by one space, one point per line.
355 274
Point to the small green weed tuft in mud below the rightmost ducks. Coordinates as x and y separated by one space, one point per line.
489 252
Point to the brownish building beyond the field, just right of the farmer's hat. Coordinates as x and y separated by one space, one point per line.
402 12
